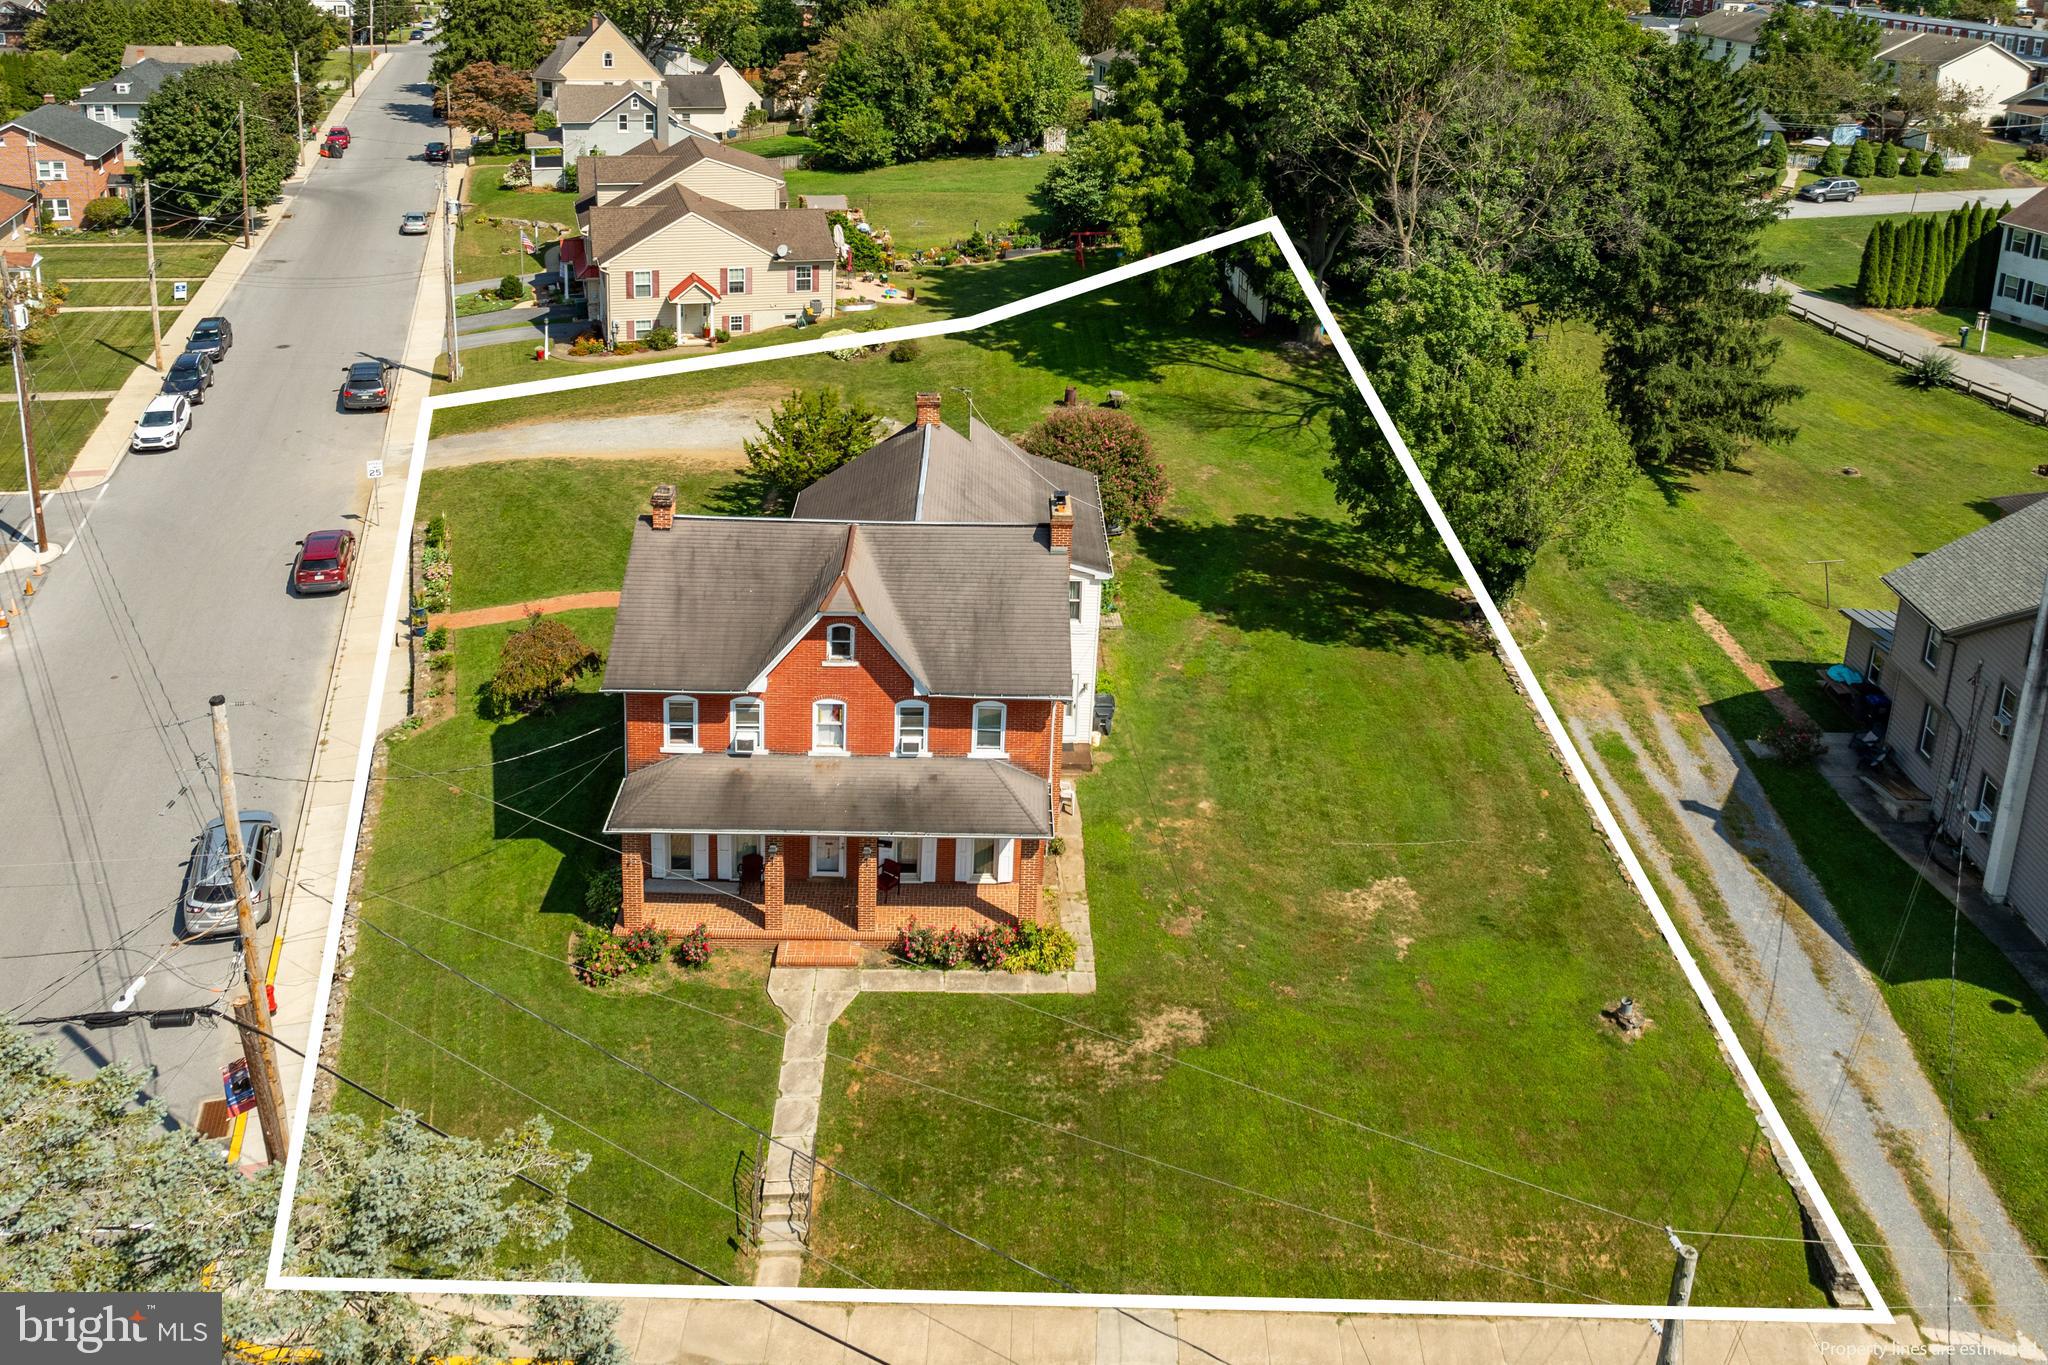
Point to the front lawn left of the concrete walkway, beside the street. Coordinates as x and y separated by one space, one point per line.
447 852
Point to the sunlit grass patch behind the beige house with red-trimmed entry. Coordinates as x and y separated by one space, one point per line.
935 204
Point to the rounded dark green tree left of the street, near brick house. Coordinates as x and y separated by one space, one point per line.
187 142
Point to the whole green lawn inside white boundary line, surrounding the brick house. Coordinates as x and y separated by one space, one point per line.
1304 873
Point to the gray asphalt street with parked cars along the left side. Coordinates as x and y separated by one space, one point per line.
177 586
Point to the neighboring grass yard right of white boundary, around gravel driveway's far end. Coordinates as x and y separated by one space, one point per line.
1740 545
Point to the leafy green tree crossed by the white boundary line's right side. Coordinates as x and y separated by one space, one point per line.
1514 439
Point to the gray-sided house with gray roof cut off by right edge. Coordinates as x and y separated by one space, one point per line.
1955 658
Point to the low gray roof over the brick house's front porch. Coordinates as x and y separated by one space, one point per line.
800 795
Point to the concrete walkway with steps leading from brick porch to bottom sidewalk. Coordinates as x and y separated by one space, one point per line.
810 1000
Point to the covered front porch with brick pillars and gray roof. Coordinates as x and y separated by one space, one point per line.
970 846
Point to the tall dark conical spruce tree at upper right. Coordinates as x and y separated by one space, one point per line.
1689 331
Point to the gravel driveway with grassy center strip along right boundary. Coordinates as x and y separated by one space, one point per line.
1828 1024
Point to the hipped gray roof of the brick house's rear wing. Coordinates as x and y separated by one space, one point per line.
933 474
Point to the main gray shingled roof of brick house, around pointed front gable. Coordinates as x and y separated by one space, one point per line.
970 611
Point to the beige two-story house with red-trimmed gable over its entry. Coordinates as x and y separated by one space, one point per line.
695 238
